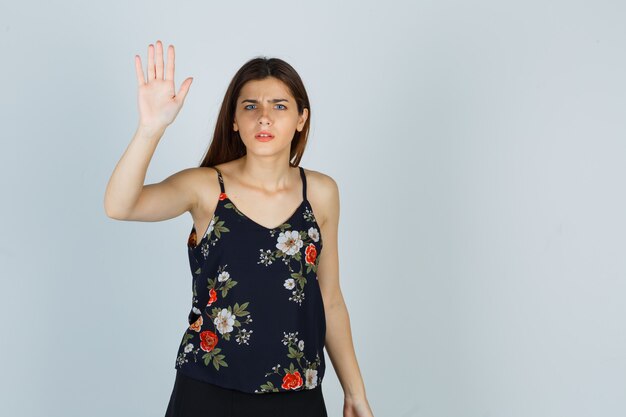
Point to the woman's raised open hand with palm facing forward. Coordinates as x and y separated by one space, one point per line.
157 99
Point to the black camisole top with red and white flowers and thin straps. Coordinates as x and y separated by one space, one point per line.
257 321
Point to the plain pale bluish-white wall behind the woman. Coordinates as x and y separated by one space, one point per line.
479 150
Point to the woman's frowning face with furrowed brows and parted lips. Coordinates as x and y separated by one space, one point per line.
266 105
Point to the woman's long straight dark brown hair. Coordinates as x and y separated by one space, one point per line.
227 144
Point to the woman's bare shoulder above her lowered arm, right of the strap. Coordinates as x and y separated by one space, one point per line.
323 193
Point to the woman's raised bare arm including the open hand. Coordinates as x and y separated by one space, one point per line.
126 197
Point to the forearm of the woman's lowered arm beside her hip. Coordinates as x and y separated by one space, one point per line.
341 349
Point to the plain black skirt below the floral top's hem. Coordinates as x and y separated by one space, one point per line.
193 398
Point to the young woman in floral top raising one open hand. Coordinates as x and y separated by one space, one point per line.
262 248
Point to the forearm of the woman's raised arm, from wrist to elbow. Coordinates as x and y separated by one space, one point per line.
128 177
